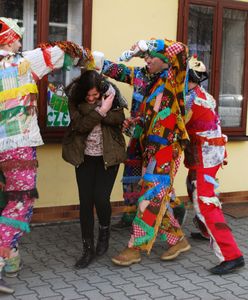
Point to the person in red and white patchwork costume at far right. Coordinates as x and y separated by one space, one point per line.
203 157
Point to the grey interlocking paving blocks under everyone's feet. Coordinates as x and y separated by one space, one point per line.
49 253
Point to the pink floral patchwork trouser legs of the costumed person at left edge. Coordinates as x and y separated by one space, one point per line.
19 168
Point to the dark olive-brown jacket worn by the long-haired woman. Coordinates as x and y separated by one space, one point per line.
84 120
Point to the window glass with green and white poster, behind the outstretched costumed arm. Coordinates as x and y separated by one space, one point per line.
65 23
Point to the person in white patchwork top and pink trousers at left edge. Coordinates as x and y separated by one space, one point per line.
19 131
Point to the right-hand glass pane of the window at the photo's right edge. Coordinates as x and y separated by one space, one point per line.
232 67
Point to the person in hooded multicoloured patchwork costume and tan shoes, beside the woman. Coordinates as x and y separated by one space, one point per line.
157 115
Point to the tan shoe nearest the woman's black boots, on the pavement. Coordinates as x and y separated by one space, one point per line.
127 257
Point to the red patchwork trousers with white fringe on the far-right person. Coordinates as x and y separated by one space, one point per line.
201 189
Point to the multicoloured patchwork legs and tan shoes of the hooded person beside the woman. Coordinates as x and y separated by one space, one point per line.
156 189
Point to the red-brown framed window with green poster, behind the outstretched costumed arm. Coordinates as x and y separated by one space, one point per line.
52 20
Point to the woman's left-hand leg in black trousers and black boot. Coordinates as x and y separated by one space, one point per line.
85 175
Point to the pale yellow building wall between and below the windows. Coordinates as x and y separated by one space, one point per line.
117 24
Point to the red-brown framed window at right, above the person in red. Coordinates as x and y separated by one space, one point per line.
217 31
